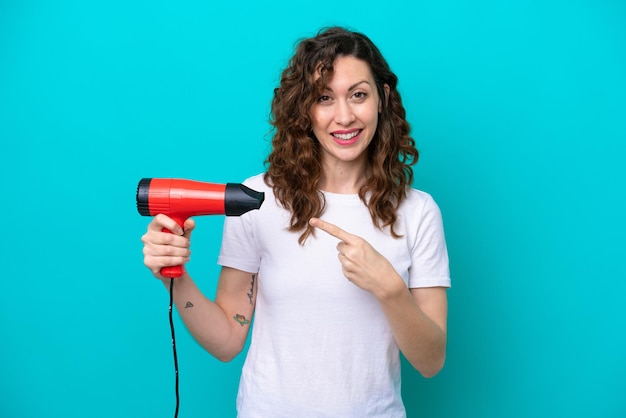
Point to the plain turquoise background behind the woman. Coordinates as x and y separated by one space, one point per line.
518 108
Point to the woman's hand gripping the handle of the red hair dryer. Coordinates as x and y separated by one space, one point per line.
162 249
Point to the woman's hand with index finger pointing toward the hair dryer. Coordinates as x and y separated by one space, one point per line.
361 263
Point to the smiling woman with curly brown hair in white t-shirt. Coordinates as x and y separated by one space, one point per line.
344 265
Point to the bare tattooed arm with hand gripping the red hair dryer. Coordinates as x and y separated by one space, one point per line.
221 327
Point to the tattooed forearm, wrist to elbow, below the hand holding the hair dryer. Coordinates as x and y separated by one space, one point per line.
206 321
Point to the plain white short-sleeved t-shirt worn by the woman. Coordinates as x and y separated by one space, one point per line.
321 346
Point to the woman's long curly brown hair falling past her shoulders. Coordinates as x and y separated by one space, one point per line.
294 164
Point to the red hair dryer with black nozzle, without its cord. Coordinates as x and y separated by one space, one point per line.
181 199
